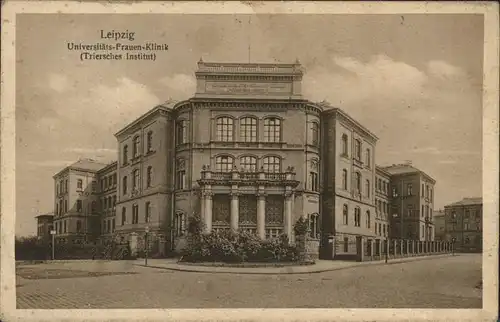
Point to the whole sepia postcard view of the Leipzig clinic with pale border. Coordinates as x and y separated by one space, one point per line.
249 160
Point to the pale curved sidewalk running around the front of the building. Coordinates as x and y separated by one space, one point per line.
318 267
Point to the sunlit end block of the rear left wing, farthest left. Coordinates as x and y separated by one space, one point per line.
76 216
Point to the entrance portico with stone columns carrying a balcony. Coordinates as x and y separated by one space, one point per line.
256 202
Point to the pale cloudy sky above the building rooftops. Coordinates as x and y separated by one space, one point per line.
413 80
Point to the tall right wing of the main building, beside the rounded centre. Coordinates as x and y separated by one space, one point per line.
348 176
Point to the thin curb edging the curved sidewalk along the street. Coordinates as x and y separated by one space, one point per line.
283 270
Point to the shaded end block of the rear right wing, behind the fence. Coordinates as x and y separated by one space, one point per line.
412 197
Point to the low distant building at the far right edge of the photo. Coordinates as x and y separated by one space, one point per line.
464 224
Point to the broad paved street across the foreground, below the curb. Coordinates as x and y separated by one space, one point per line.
447 282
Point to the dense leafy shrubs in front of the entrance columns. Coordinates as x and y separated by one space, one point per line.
231 247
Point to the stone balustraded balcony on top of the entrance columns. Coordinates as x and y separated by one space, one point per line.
248 177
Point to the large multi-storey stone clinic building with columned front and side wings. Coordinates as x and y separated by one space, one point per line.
246 152
